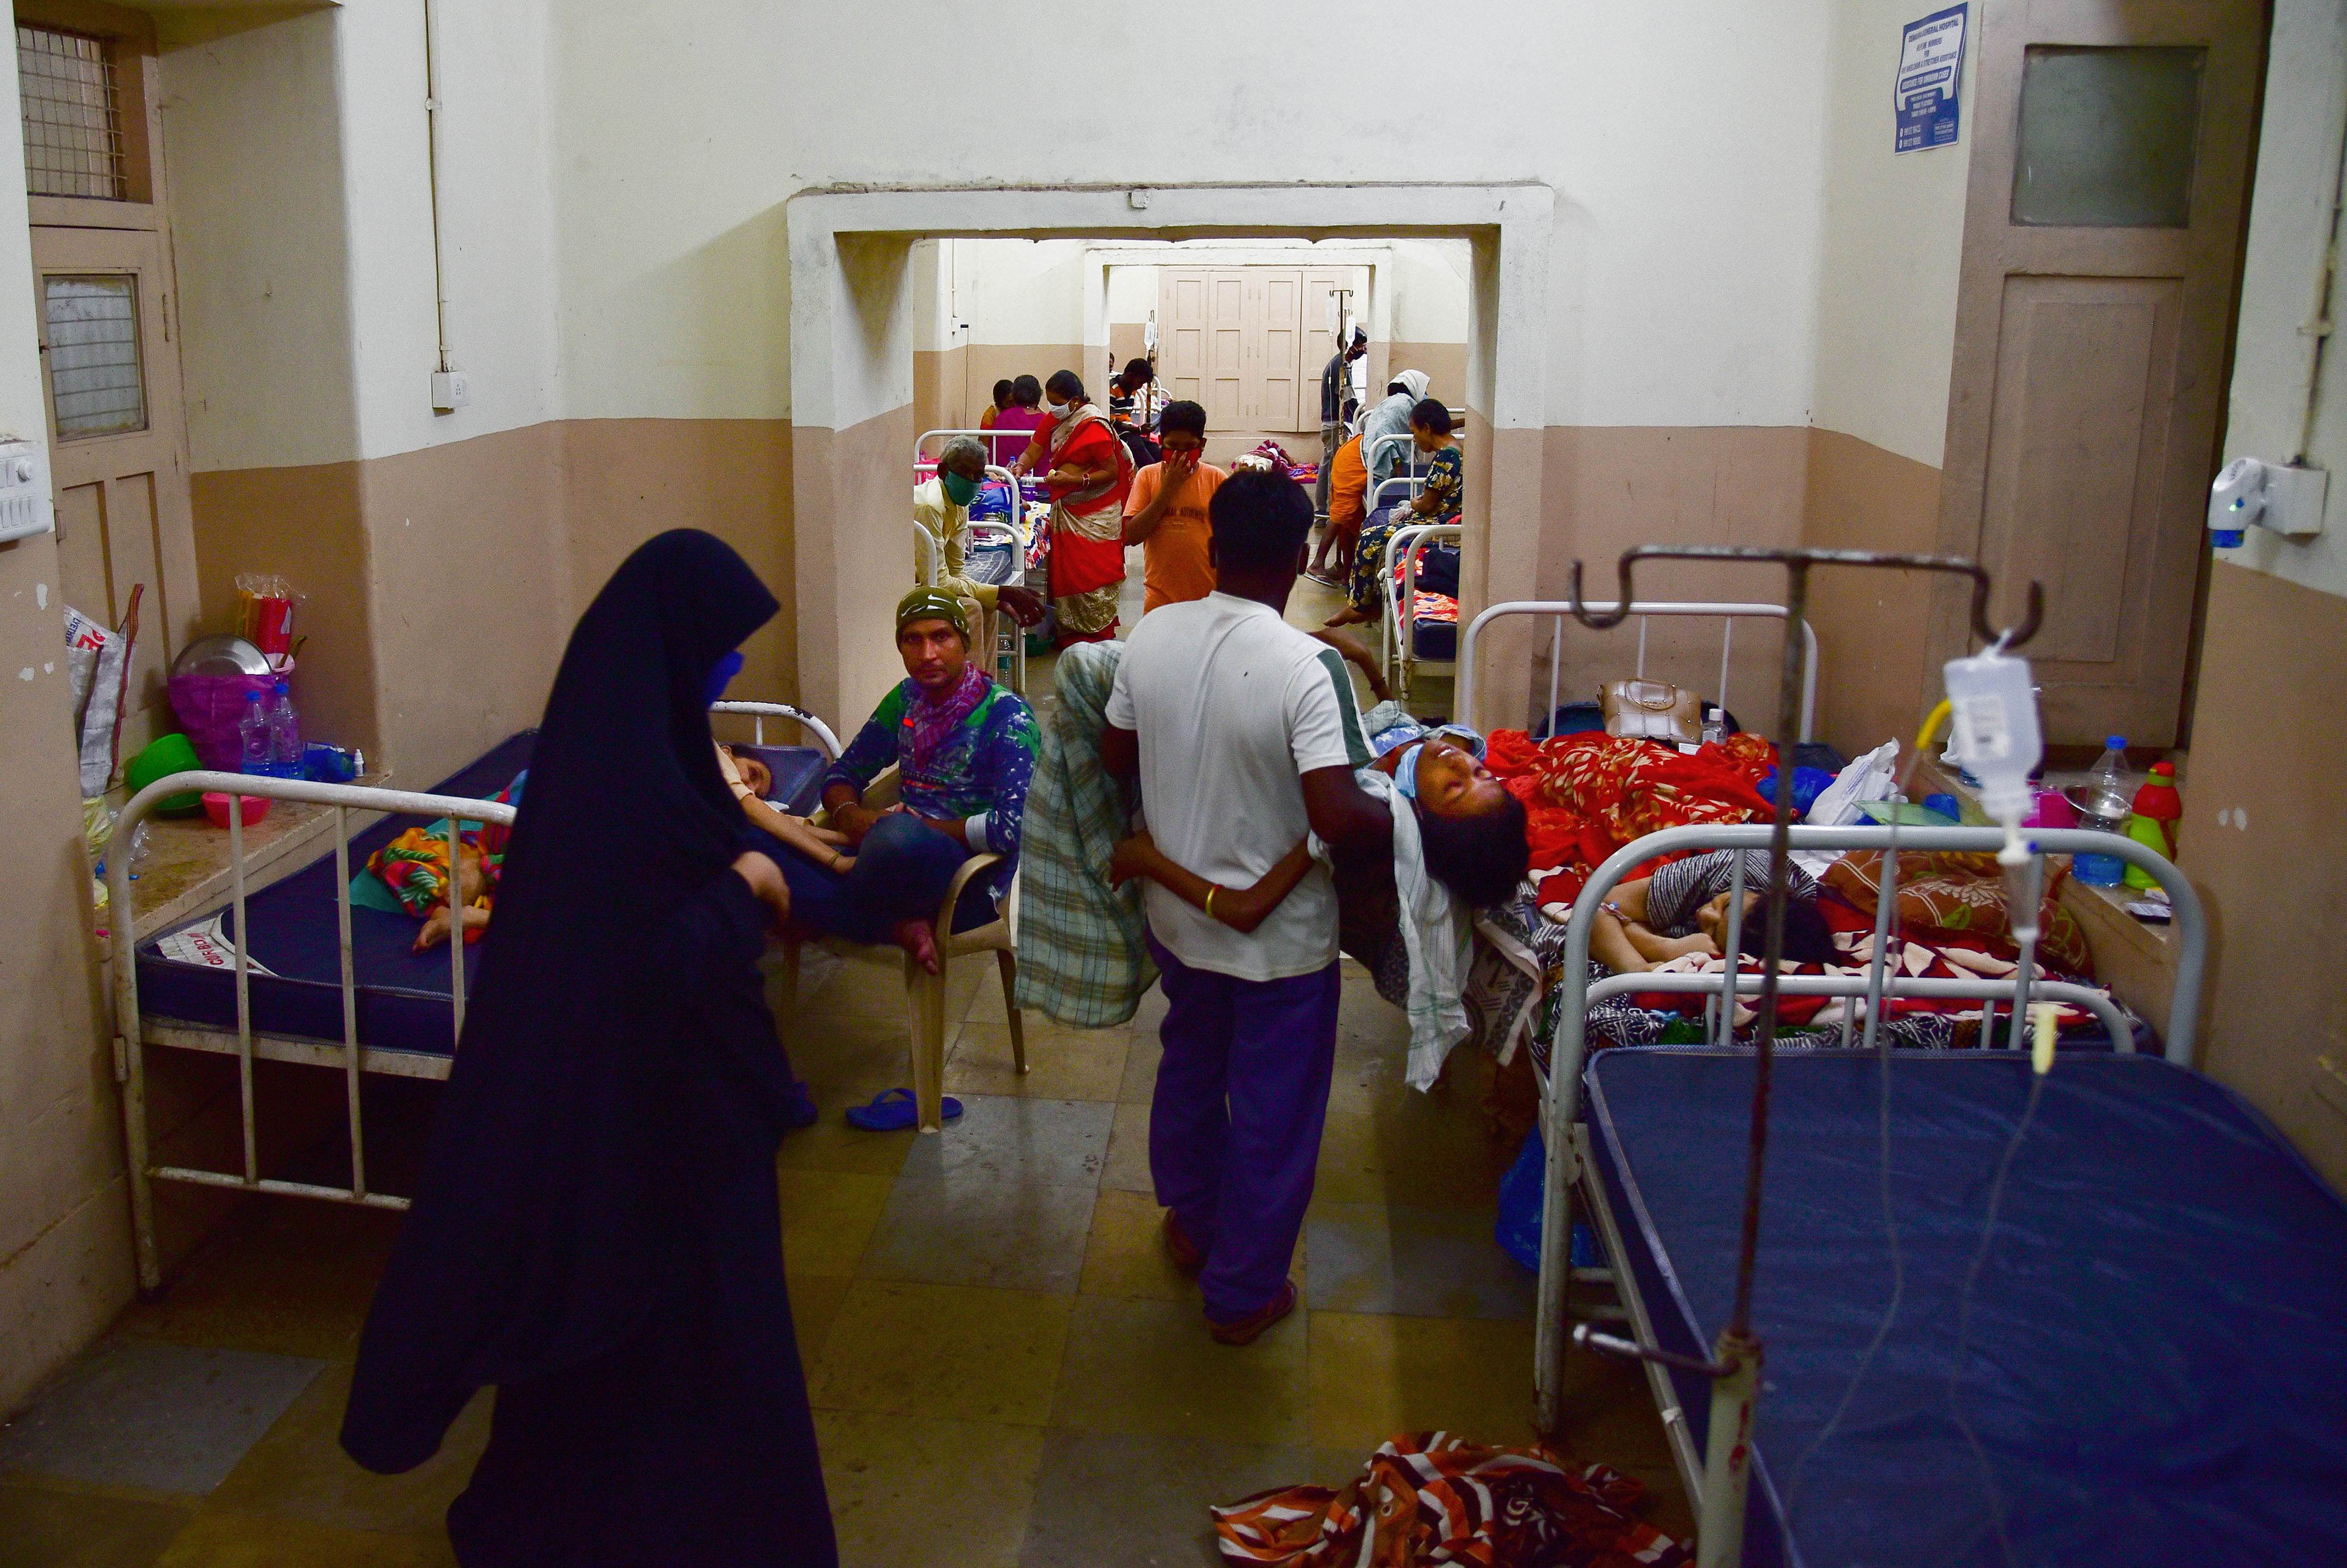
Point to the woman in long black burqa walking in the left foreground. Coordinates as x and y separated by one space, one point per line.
597 1229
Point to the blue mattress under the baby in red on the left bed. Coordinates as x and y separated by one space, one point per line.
403 994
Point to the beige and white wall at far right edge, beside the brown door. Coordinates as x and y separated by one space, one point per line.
2266 797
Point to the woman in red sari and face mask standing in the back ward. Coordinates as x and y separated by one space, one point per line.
1088 473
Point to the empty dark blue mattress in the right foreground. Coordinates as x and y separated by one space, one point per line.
2158 1351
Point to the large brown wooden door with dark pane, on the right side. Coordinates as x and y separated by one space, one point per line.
2102 236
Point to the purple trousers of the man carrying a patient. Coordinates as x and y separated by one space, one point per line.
1236 1126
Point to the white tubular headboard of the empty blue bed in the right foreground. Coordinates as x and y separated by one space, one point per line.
1562 1102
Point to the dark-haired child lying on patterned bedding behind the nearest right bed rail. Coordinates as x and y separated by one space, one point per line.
1684 910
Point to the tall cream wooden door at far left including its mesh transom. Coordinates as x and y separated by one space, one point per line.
109 353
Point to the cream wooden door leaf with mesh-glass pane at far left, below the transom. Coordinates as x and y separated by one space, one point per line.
119 445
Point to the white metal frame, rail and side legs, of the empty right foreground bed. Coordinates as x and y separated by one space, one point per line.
1574 1175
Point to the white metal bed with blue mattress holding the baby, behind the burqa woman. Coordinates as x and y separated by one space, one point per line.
297 973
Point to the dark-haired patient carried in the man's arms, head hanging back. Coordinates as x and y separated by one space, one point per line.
1470 827
